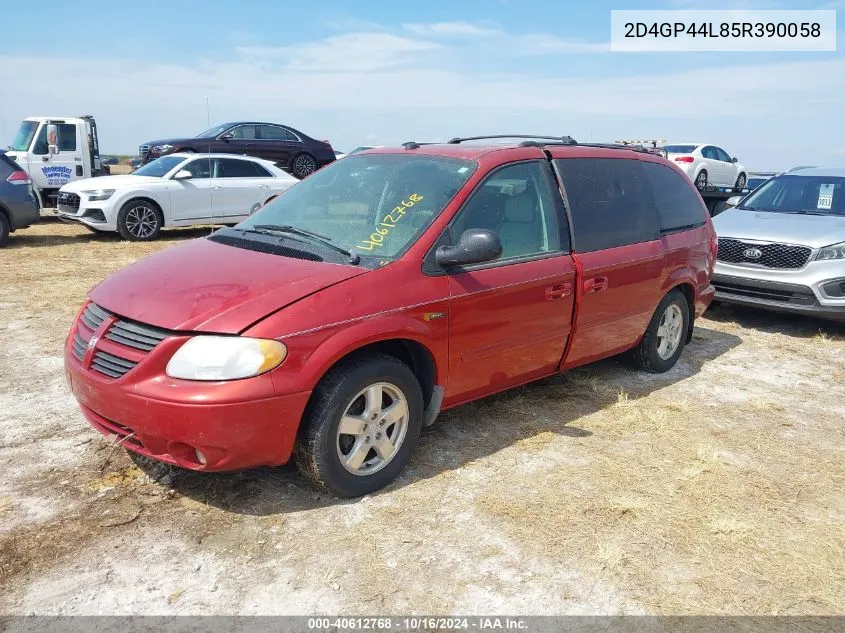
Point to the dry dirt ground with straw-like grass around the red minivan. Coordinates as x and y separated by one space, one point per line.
716 488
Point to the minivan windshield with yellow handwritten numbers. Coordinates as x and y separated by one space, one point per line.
376 204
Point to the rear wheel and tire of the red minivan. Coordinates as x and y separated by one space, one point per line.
647 355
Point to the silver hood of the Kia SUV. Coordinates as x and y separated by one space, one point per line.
814 231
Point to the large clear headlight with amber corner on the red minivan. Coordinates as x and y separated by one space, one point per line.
225 358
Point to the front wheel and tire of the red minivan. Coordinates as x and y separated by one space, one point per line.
344 393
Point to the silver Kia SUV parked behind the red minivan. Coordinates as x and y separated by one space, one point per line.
783 246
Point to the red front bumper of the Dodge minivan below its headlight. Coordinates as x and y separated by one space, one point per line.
234 424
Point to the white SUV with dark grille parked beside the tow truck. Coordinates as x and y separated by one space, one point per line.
179 189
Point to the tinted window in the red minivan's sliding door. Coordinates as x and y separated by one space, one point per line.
609 202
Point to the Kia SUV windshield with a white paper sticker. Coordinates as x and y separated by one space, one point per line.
820 195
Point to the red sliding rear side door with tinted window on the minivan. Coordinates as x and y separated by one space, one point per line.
617 242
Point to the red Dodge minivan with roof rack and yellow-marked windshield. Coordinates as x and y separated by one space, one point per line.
340 319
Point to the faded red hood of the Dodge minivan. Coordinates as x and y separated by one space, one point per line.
203 286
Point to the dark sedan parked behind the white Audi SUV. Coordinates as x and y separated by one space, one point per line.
290 149
